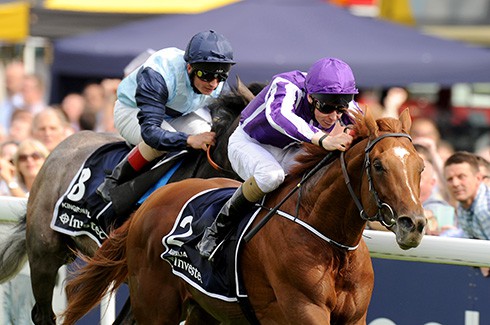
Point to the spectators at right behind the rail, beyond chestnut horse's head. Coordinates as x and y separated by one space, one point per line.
453 192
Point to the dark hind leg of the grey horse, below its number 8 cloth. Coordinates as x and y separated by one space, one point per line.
46 256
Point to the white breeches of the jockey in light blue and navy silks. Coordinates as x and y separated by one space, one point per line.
126 122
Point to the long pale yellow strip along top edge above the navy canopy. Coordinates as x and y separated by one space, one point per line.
141 6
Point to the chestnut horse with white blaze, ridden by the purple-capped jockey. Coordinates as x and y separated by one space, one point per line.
320 273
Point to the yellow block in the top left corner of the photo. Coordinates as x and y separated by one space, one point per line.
14 21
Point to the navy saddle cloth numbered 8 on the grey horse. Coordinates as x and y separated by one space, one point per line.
81 211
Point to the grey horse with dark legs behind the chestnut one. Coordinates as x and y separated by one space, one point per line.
47 249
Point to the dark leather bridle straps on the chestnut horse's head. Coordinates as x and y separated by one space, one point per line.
382 206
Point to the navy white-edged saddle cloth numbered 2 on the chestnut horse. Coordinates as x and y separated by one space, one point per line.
219 278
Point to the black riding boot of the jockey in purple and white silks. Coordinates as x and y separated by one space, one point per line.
228 216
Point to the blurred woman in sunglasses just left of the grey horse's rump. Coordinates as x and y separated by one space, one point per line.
27 161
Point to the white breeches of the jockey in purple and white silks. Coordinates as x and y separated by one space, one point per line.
268 164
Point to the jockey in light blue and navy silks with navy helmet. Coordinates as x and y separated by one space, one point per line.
161 106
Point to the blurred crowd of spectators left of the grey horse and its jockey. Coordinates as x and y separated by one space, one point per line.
29 130
